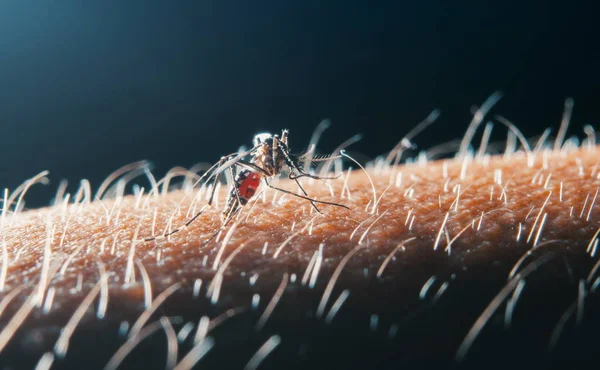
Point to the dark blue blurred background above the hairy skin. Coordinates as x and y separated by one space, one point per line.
88 86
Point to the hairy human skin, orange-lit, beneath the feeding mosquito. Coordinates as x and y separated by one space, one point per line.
473 260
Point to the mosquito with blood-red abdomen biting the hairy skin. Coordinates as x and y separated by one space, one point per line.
268 158
